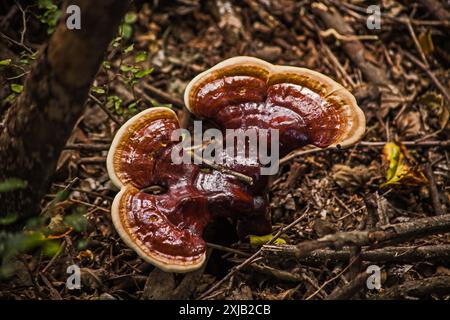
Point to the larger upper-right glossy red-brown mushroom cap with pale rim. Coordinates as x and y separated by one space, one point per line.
306 107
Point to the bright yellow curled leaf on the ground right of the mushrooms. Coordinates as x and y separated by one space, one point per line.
400 170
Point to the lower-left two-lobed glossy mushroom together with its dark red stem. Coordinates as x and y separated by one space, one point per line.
166 229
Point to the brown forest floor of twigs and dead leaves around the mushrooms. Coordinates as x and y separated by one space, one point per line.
400 76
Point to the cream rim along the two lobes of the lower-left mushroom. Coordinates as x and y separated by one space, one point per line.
159 261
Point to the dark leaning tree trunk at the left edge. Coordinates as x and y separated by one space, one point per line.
38 125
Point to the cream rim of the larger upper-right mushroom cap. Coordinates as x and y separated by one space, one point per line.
356 121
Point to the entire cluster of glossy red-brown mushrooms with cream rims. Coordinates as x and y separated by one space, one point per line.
305 107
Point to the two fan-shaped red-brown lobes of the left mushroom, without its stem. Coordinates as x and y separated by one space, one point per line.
163 230
